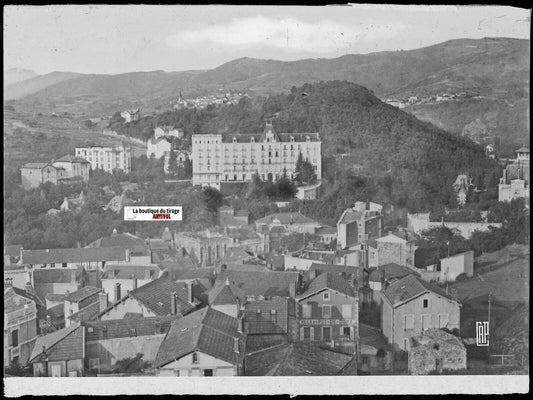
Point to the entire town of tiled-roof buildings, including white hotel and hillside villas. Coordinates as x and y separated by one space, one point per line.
354 298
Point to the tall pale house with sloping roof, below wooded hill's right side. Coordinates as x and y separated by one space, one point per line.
359 224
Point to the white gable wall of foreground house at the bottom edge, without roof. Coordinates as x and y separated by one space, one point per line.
185 366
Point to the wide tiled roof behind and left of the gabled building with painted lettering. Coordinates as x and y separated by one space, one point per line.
257 283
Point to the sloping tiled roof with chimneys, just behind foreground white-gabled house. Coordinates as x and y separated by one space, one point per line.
155 295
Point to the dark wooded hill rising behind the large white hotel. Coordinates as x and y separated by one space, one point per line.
414 162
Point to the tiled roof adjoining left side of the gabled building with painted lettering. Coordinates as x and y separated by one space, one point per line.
272 317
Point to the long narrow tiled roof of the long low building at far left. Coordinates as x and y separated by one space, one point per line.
58 256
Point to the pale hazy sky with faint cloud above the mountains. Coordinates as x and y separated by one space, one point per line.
107 39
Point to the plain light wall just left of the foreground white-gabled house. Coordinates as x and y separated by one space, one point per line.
109 351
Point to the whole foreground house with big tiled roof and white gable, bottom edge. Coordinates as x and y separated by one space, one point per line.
204 343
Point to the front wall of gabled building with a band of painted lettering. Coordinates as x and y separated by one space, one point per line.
336 321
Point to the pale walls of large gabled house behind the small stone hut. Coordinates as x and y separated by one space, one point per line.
438 305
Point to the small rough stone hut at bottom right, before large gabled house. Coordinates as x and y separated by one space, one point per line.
436 351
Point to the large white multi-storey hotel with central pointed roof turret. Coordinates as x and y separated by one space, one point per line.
236 157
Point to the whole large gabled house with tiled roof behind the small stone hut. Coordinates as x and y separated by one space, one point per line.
409 306
